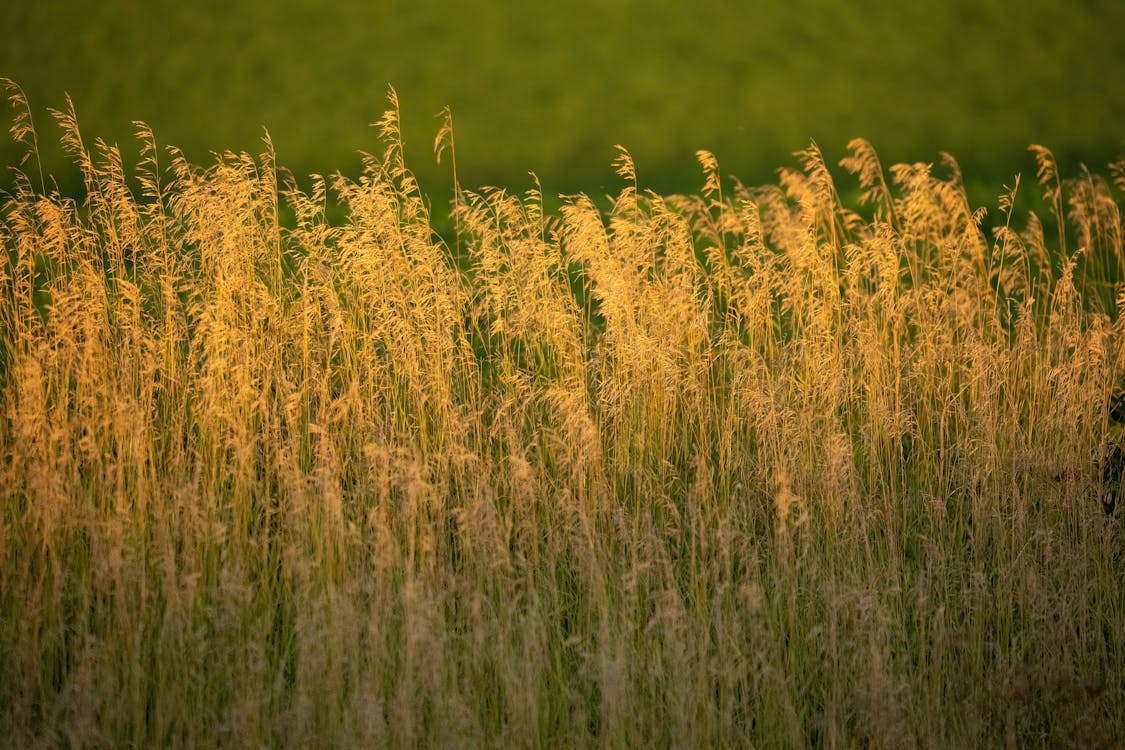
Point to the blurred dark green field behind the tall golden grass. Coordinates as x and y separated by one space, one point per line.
552 87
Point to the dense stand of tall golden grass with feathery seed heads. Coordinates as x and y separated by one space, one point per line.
746 467
